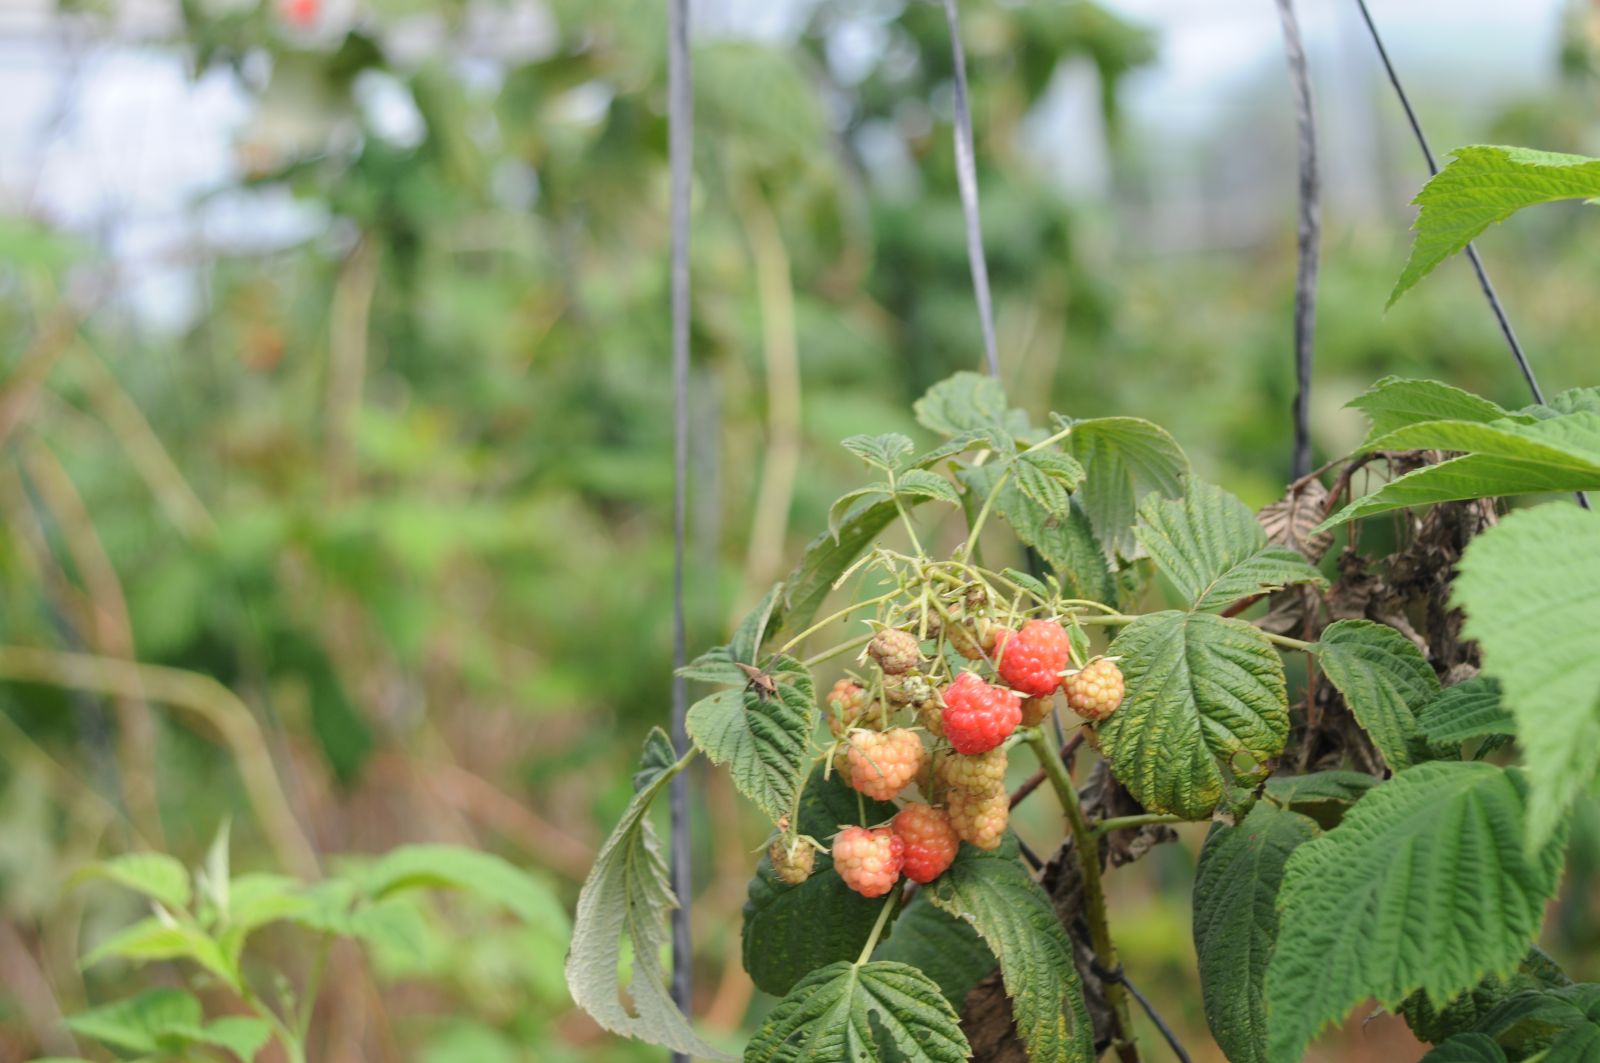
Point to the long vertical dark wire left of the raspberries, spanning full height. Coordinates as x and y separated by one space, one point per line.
681 148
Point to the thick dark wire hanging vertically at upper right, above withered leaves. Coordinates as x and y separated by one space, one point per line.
1308 236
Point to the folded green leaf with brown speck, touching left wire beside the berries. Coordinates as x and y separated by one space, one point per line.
764 739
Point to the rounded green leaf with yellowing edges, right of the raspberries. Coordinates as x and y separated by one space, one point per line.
1207 702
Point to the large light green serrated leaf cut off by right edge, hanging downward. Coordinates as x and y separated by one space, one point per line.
1529 588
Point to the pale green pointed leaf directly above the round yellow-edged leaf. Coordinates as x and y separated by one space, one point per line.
1215 552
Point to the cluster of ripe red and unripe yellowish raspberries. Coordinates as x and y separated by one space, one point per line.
964 779
